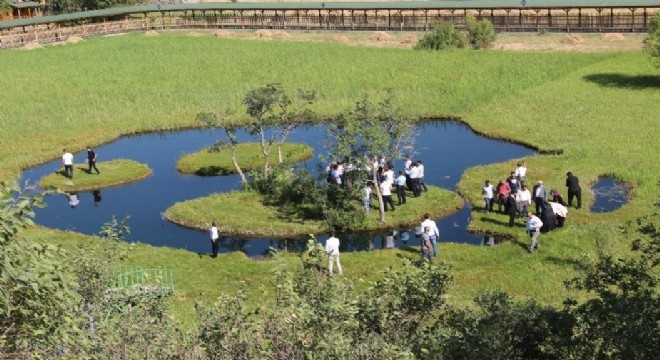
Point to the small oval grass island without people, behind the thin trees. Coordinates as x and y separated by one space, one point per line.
248 156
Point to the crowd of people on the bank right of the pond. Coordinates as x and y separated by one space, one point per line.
514 198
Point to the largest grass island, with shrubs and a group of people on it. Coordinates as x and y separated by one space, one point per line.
244 213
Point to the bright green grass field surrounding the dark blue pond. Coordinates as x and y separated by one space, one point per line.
601 110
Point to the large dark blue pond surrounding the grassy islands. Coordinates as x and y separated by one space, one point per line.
446 148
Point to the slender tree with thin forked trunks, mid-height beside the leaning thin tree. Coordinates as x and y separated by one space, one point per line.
273 119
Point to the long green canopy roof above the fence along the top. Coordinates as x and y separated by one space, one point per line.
384 5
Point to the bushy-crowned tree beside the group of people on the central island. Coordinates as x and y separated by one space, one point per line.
368 130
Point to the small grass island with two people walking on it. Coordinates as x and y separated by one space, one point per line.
113 173
